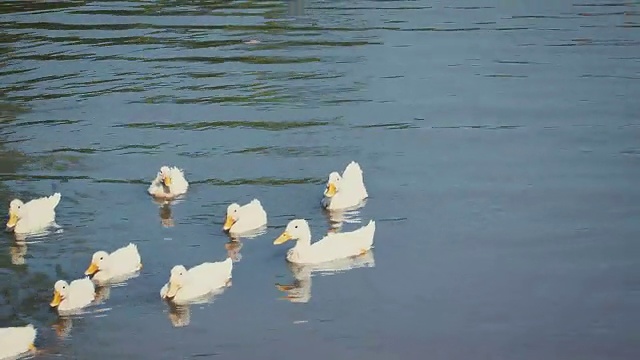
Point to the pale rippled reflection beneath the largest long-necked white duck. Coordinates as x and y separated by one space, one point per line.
300 290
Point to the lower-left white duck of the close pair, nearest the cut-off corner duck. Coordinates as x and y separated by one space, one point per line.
74 296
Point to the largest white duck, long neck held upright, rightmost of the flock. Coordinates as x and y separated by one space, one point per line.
332 246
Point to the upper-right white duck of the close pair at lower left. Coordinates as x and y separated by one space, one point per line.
118 265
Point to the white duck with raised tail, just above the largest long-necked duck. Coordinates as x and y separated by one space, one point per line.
346 191
